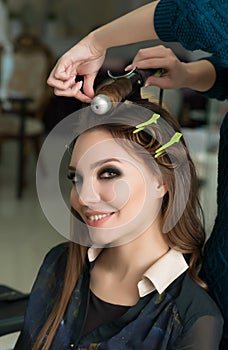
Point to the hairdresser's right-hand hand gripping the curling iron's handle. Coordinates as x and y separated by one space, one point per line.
175 72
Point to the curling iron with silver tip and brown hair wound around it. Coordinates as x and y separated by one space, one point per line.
117 89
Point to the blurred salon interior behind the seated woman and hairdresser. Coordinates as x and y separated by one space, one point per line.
33 35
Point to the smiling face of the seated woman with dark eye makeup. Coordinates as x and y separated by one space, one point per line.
114 192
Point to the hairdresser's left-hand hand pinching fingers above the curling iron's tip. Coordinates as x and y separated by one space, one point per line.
83 59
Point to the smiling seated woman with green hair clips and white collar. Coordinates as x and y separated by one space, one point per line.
130 280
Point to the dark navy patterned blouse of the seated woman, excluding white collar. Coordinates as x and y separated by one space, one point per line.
183 316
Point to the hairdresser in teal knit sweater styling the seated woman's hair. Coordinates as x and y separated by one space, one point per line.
196 25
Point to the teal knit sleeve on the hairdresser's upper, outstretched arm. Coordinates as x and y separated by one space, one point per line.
195 24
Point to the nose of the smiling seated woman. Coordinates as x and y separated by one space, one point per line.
87 193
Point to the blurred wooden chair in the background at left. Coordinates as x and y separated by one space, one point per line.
21 117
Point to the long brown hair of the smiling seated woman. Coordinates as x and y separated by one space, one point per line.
186 236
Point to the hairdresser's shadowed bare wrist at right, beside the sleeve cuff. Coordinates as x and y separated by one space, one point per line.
200 75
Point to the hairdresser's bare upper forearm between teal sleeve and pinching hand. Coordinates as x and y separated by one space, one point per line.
133 27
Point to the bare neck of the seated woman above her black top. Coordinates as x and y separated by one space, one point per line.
118 270
